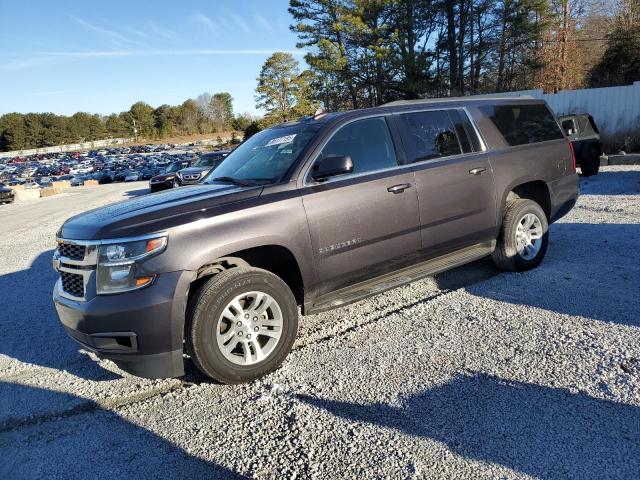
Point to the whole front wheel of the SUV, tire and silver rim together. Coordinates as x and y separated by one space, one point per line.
208 329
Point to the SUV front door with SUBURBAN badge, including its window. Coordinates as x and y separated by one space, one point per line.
364 223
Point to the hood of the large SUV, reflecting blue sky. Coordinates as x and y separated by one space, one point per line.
154 212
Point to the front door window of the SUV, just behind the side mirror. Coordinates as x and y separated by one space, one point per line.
368 143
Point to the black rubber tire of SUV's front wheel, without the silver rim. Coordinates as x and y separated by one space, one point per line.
205 315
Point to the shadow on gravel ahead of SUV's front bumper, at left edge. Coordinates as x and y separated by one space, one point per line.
30 328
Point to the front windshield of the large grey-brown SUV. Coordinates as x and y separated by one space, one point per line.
266 157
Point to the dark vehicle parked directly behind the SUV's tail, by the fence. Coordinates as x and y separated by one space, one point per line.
584 136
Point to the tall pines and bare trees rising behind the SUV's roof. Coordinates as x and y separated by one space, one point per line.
368 52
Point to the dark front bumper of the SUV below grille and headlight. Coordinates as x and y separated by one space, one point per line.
141 331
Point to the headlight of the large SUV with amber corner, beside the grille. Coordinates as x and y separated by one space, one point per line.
118 264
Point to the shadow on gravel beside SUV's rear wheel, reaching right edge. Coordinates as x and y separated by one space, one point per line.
591 271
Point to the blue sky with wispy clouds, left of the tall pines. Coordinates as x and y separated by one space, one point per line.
102 56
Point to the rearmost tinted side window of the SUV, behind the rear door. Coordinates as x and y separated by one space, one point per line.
522 124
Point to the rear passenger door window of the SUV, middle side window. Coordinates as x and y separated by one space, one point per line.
429 135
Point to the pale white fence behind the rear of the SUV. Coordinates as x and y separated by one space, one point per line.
616 110
